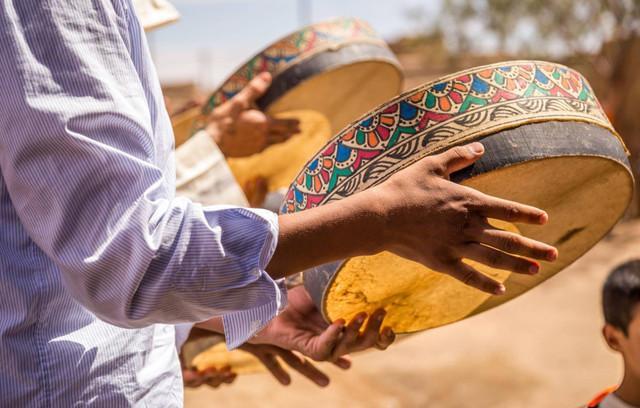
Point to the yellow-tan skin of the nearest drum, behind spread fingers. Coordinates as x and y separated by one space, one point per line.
417 298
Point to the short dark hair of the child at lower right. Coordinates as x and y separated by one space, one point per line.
621 294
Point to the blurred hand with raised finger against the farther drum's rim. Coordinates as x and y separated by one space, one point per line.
239 129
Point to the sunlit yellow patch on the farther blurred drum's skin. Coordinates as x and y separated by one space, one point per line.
280 163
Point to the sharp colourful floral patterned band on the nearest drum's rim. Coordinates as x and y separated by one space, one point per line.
457 109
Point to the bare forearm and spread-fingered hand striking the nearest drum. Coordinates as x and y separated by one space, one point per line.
421 215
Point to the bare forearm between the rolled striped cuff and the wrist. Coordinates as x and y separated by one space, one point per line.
351 227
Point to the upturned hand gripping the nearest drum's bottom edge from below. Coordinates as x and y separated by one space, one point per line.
302 328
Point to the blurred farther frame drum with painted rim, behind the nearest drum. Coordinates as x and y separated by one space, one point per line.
330 72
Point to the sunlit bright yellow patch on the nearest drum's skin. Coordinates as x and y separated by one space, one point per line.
408 297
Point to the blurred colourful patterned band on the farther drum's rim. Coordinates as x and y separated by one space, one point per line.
287 51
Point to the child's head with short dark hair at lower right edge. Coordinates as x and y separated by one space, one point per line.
621 304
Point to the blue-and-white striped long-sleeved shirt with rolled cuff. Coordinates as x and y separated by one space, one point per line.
97 256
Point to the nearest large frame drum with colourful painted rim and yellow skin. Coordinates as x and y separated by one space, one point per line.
547 144
